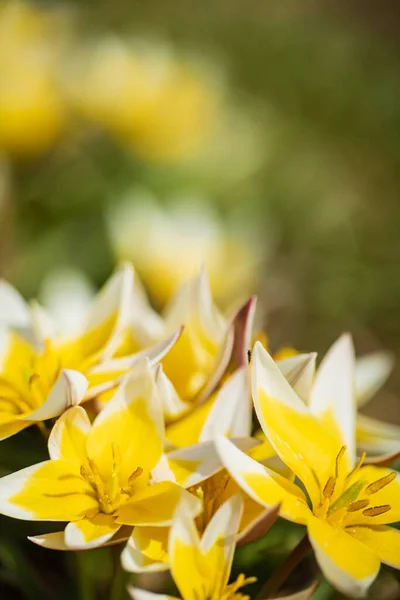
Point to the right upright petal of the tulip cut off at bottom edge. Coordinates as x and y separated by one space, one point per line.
219 540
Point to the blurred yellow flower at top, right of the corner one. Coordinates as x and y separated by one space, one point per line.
161 106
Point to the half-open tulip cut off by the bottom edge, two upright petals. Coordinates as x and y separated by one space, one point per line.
201 567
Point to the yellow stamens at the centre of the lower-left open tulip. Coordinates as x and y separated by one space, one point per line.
110 493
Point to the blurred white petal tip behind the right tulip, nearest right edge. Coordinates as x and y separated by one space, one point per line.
372 372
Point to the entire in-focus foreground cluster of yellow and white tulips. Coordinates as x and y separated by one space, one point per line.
181 437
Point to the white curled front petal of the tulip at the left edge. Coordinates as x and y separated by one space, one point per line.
68 391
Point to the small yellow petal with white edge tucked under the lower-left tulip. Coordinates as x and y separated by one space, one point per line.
146 550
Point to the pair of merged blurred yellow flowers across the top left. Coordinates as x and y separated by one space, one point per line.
156 103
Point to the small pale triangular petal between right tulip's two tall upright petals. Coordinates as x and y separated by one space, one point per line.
299 371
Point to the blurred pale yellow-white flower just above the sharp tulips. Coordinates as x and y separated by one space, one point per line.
169 245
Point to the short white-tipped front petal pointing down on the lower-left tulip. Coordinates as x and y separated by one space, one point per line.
90 533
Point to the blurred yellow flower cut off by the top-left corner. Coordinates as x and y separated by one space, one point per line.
32 110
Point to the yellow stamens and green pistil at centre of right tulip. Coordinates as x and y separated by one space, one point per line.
353 497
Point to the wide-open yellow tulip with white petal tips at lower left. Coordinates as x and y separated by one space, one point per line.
101 476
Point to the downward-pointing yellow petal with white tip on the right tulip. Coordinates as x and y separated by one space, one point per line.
348 564
